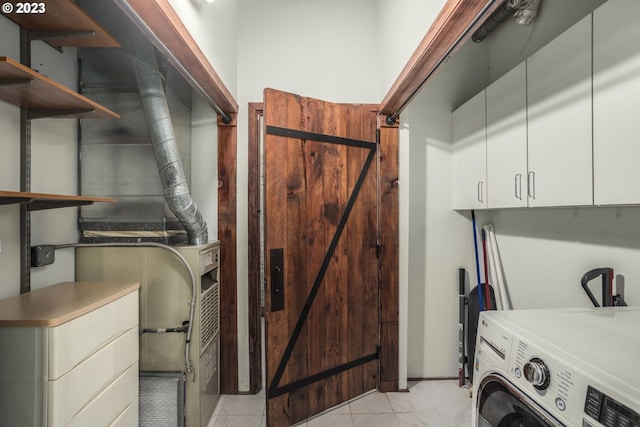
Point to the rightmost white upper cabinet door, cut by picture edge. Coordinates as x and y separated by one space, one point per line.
616 90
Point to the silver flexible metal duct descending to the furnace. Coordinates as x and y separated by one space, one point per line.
163 140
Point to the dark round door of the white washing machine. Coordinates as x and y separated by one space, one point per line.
500 404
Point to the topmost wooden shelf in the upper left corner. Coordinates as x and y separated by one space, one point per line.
63 23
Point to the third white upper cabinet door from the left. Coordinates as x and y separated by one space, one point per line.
559 120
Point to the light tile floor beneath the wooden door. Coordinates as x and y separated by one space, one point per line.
438 403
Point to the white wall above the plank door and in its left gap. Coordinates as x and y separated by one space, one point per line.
333 50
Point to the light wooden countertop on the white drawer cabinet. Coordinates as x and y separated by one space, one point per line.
57 304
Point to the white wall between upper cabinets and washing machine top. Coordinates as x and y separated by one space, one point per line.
545 252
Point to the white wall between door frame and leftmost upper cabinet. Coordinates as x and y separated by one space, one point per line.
438 238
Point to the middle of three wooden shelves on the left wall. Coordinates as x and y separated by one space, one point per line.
22 86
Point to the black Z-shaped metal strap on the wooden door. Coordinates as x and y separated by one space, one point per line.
275 389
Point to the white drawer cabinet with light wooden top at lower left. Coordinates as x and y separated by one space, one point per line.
69 356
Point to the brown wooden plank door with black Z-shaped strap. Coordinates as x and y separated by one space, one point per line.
322 318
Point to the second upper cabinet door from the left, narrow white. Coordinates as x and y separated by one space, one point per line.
507 140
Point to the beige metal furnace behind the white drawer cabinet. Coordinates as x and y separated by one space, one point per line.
165 295
